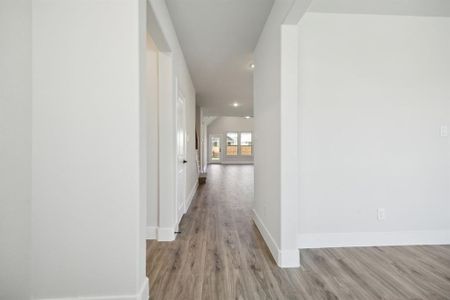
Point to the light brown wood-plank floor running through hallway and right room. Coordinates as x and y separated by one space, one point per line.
221 255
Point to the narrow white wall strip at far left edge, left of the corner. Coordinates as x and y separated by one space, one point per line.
15 148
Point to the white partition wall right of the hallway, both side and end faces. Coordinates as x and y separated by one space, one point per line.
275 106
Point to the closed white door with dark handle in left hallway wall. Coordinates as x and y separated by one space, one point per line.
181 155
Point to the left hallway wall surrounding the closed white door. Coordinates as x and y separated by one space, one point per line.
174 67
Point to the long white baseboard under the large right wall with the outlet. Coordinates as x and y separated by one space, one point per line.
372 239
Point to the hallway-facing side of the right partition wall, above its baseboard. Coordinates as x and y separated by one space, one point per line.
266 86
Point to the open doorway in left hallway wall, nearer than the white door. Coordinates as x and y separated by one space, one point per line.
161 133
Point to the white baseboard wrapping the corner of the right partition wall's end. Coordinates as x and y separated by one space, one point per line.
283 258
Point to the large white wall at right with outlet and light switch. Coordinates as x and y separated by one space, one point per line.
374 92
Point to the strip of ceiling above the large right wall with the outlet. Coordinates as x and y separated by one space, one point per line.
438 8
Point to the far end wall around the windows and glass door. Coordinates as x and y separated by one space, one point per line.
221 126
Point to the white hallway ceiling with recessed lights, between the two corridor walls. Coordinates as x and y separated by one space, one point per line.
218 38
